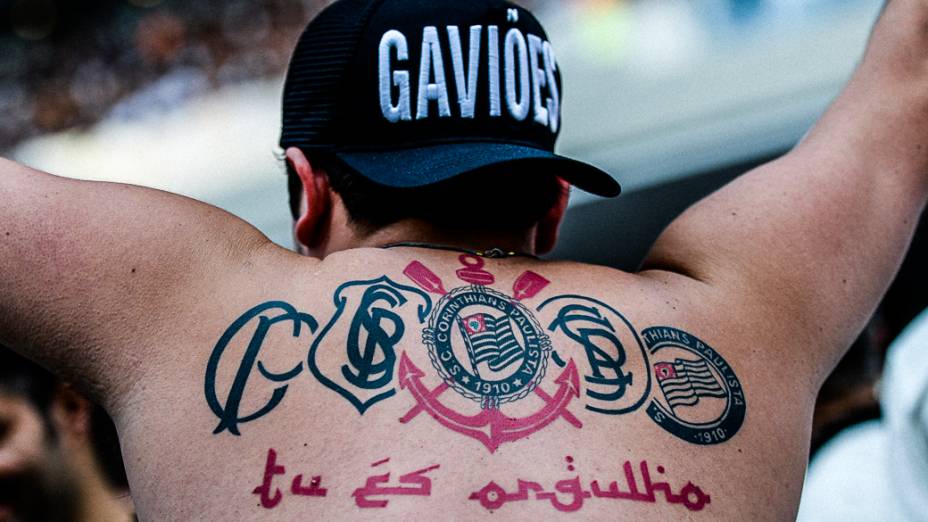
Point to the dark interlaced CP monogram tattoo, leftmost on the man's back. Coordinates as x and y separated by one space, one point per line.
263 318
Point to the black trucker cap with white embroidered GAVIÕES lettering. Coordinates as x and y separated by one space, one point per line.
413 92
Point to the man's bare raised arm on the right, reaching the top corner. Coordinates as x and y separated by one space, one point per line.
810 242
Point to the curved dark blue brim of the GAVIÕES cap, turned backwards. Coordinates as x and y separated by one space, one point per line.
420 166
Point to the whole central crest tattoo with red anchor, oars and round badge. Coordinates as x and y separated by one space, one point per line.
488 349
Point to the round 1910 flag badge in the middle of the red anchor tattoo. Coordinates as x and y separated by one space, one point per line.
486 346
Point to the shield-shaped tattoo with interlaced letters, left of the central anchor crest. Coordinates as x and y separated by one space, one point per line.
363 371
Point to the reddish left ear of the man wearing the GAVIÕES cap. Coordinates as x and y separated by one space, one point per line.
316 199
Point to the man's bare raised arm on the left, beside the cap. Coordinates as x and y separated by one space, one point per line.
91 273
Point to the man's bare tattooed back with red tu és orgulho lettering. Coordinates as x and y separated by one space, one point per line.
354 391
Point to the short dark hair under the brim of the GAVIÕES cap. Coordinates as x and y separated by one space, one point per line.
501 198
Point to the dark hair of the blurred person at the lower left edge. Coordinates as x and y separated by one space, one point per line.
23 378
